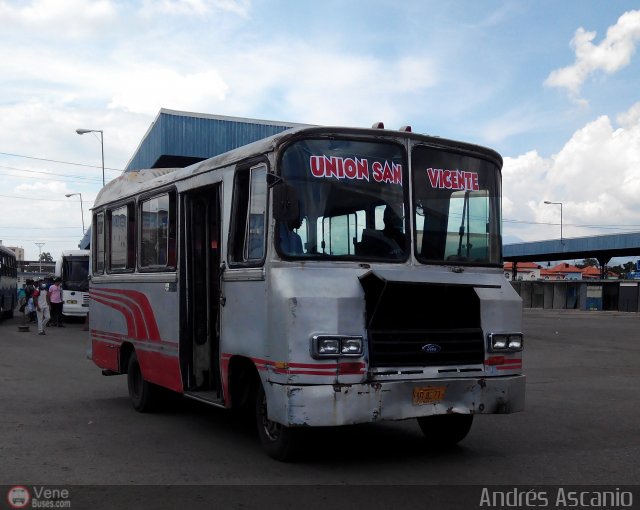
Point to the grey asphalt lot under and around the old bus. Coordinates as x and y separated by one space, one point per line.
63 423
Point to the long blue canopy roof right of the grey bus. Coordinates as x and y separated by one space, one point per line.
601 248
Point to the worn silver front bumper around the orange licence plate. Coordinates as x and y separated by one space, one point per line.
332 405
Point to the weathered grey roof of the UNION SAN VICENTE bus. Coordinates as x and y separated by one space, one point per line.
132 183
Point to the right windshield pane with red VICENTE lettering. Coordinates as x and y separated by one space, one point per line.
456 208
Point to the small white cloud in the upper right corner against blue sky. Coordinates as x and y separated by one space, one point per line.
611 55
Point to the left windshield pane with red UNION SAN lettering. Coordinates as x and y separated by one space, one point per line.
351 201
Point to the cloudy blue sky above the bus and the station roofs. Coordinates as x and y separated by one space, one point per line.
553 86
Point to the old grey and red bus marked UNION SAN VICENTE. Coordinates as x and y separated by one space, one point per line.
321 277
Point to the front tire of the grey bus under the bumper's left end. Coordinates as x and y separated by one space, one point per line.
279 441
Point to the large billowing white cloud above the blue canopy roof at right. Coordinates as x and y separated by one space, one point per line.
596 176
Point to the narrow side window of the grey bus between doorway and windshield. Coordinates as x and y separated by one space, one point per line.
248 228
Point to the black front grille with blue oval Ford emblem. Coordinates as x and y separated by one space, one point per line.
426 347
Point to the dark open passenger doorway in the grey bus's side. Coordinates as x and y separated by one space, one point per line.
201 280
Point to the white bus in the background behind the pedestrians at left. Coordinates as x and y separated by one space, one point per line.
72 267
